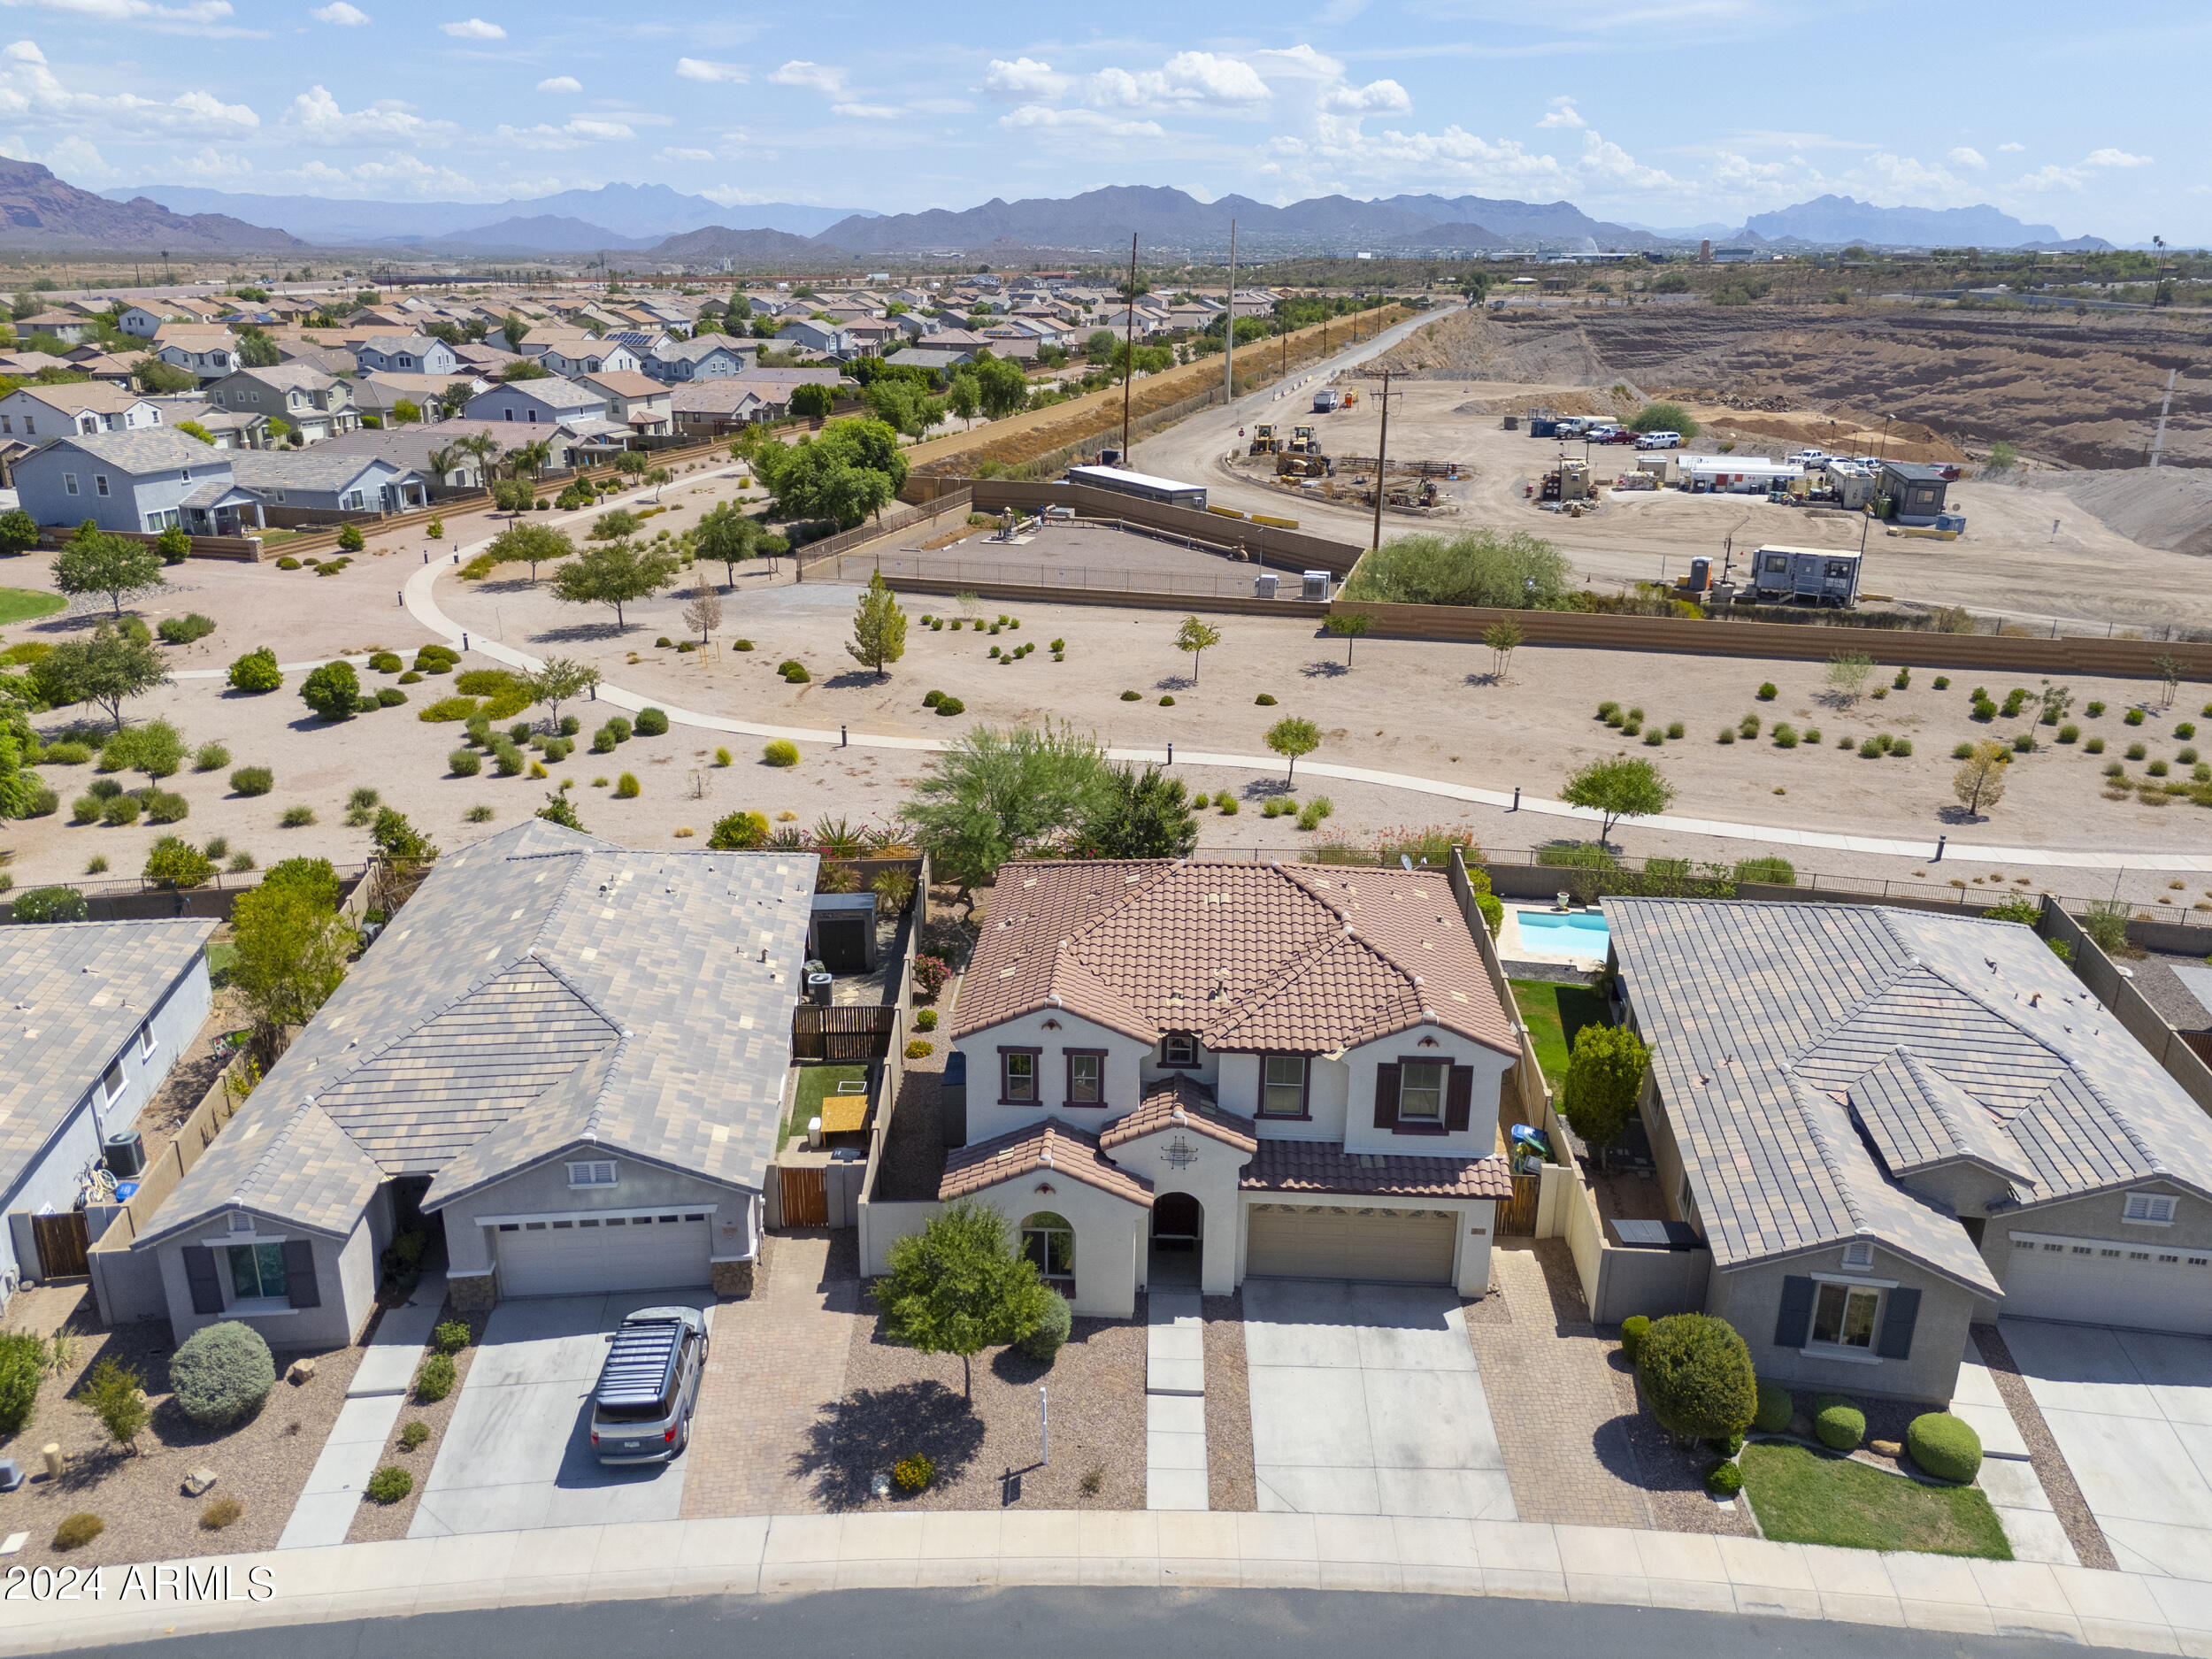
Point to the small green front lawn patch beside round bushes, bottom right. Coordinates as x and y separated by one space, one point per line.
1808 1496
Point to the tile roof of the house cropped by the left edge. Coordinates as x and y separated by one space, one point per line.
74 994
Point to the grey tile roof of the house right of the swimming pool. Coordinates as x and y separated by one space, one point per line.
1813 1058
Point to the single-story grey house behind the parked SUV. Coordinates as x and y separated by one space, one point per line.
563 1054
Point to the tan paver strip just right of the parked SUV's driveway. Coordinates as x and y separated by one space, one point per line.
778 1361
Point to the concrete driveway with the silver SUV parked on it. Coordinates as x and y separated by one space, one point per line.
519 1448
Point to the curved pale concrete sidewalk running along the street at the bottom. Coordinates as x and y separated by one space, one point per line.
811 1554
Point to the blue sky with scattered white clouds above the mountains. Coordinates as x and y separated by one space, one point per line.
1660 112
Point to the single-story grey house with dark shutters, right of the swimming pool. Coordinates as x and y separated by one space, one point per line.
1890 1125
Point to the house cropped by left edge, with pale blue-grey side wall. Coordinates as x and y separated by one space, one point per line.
98 1014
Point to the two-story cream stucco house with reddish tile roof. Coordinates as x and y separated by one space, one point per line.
1284 1070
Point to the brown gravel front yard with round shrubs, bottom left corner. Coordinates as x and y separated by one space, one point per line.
264 1463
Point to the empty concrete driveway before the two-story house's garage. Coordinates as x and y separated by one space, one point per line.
1366 1401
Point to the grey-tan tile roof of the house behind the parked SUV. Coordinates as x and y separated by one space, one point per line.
543 990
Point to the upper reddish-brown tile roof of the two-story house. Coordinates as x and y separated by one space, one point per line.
1249 957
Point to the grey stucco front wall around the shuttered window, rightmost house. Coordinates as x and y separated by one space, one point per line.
1751 1300
